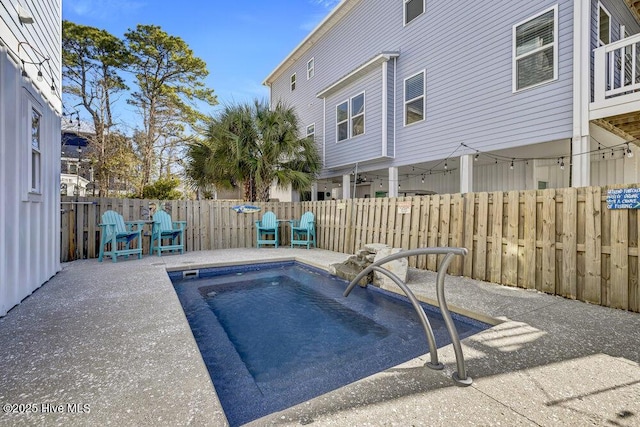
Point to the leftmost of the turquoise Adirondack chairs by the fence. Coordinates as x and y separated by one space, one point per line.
115 230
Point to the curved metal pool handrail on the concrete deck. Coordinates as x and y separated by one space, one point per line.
460 377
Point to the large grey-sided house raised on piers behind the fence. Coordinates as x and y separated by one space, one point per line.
420 96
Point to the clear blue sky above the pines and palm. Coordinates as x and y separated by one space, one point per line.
240 41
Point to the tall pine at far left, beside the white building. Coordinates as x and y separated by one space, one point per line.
92 60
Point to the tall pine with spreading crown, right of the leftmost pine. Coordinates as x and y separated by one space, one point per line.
170 82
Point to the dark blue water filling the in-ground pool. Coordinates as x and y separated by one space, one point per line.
274 335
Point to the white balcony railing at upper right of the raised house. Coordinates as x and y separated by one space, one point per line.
616 77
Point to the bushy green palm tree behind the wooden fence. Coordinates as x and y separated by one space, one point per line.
254 146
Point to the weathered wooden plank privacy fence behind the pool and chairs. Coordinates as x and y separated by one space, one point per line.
559 241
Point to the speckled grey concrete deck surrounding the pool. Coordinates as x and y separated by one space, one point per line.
108 344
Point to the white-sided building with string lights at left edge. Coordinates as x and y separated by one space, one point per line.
30 111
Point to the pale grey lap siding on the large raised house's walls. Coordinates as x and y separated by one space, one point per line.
468 63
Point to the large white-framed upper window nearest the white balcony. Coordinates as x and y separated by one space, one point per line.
535 48
